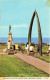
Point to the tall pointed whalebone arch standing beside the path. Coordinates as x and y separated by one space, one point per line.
39 32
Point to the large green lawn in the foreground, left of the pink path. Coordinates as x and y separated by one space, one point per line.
11 66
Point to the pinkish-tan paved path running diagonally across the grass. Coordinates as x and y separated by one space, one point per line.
40 64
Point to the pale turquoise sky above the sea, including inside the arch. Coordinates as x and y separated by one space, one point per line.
18 14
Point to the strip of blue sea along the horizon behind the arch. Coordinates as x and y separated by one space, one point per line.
24 40
